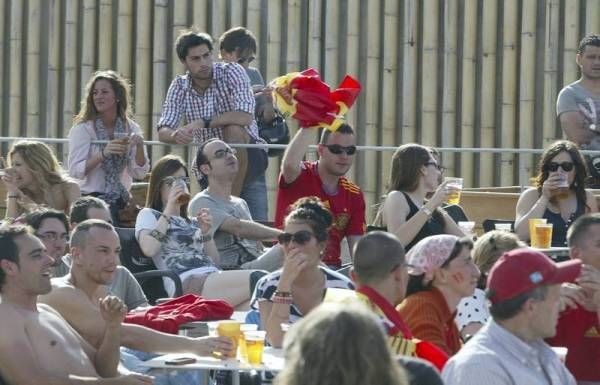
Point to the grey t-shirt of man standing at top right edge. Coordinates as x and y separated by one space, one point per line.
575 97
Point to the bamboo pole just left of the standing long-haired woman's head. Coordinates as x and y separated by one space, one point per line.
70 81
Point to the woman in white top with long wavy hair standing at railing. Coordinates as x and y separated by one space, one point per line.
107 170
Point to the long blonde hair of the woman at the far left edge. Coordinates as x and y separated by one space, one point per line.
40 160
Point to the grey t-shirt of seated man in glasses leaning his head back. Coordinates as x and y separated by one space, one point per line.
234 251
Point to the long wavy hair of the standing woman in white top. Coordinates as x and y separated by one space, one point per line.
120 86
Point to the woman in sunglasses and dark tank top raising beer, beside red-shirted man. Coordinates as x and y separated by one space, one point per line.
406 211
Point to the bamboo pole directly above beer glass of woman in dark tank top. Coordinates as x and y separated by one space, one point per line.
449 128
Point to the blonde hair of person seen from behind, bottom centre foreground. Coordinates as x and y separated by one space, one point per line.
325 348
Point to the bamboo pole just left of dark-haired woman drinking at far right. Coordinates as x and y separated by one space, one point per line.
527 83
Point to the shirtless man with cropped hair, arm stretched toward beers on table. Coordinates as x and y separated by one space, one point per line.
95 251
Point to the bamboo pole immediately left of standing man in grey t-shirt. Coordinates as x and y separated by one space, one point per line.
550 71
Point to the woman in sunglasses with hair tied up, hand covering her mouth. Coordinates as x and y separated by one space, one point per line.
286 295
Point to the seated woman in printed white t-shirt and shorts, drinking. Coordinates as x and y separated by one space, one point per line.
183 244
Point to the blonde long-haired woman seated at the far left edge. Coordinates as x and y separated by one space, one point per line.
35 178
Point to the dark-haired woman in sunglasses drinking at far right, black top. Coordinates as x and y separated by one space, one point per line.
559 193
